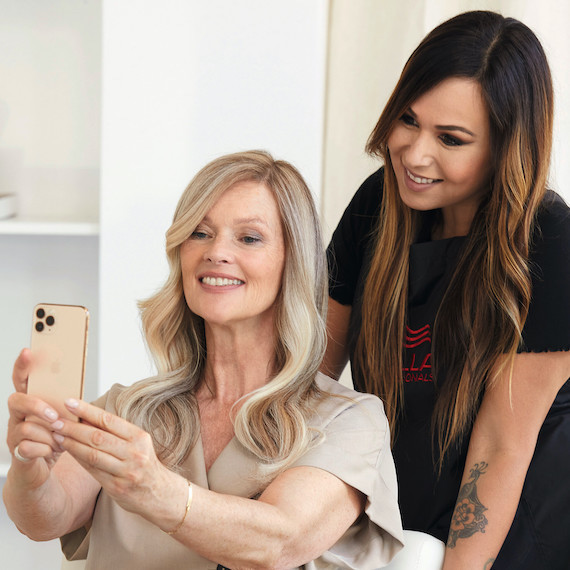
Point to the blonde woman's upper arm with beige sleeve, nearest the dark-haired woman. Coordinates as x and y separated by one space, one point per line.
348 476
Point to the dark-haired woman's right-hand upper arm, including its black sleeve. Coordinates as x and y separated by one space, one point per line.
515 406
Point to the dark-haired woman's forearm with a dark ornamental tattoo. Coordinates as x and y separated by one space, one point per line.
487 502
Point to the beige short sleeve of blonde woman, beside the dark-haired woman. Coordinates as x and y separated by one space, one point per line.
356 449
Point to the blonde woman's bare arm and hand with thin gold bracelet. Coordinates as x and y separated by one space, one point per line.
301 513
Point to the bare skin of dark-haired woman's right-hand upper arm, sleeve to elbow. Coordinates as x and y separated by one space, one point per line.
514 408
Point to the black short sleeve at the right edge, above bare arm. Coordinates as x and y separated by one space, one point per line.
547 327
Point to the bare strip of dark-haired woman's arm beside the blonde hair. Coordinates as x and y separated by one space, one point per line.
336 355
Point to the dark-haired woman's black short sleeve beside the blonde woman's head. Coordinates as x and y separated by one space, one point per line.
351 238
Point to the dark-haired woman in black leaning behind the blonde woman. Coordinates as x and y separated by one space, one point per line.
450 273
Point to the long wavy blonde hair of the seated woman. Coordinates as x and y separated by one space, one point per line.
272 422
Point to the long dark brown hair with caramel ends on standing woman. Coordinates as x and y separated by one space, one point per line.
478 328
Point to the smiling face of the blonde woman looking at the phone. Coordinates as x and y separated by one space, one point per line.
232 263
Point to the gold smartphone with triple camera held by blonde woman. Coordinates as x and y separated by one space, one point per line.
59 349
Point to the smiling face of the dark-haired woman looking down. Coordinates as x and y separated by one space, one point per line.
441 153
